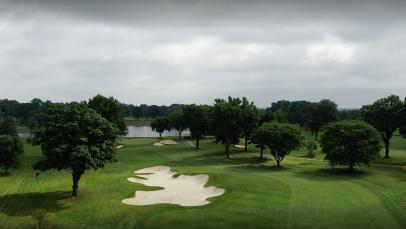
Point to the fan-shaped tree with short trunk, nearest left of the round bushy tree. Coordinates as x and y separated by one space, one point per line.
280 138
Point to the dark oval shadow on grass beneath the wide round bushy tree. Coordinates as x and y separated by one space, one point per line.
332 173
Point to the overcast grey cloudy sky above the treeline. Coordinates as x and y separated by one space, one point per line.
185 51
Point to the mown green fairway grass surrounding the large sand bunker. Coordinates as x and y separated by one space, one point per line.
301 194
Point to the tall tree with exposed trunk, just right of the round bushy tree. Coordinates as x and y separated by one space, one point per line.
385 115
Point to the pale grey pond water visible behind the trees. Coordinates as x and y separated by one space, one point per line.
137 131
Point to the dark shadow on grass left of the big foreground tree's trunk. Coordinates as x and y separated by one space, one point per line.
23 204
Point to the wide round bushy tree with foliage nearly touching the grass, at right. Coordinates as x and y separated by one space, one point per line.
350 142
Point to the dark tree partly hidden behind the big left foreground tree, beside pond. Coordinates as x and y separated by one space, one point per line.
110 109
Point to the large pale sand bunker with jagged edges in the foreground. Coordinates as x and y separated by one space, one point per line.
183 190
